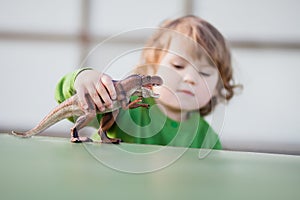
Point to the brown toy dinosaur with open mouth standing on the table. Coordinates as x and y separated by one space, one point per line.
133 85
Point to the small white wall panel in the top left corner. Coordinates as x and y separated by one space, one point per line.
53 16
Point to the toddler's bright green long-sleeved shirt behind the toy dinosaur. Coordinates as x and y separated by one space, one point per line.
150 126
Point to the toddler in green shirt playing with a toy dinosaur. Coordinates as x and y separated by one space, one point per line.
194 61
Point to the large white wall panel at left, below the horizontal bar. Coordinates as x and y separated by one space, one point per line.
29 73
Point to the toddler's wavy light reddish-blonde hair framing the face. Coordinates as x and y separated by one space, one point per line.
205 35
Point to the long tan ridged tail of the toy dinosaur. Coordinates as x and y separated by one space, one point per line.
64 110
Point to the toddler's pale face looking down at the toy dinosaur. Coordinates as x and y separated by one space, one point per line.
189 83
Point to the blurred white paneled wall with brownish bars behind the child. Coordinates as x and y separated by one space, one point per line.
42 40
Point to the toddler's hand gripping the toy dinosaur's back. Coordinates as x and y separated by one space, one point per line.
98 86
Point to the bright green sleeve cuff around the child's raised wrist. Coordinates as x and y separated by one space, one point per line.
65 87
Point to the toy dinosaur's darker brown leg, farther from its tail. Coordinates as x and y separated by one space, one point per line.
106 122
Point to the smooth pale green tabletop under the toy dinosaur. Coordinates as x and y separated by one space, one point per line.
53 168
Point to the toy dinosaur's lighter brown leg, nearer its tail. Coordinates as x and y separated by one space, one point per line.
80 123
